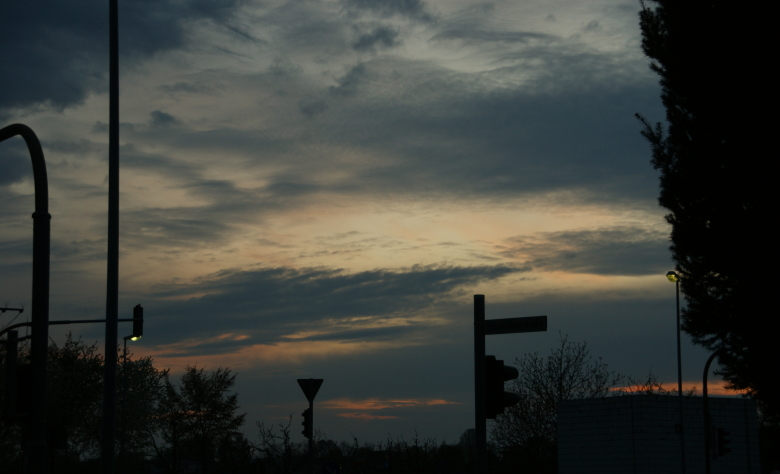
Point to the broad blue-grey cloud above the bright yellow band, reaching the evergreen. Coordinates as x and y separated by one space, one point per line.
440 134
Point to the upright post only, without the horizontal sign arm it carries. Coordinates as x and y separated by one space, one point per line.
480 428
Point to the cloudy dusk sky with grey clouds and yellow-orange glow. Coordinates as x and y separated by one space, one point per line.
317 188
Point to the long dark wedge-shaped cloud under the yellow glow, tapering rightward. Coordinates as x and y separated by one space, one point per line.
273 302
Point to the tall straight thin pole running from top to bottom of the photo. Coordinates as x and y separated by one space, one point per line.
112 280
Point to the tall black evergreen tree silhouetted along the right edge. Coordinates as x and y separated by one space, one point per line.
713 58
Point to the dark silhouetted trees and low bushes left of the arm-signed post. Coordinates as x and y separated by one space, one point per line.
193 426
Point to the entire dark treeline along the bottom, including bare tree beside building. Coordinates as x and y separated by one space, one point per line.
195 425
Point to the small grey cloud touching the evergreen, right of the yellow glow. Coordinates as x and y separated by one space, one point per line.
622 250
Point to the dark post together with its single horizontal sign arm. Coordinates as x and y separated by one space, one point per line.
484 328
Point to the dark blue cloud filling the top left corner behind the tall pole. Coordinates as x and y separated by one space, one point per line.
58 51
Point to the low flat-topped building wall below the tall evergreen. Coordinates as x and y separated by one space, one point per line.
639 434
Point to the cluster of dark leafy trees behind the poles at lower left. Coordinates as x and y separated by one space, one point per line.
192 425
